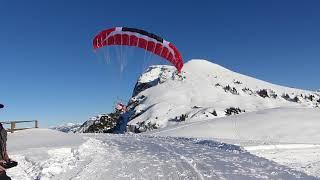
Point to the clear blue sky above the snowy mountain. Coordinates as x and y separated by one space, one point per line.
49 72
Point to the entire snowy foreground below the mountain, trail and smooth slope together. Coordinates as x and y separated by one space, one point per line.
279 143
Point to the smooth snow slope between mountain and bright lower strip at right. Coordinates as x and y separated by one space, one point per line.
278 125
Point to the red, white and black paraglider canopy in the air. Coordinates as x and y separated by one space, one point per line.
142 39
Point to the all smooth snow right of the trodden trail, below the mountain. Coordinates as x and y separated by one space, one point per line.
289 136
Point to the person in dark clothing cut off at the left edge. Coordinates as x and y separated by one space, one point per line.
3 151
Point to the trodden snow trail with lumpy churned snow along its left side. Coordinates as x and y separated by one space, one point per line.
105 156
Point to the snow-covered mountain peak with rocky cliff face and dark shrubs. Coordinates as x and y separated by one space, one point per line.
204 90
